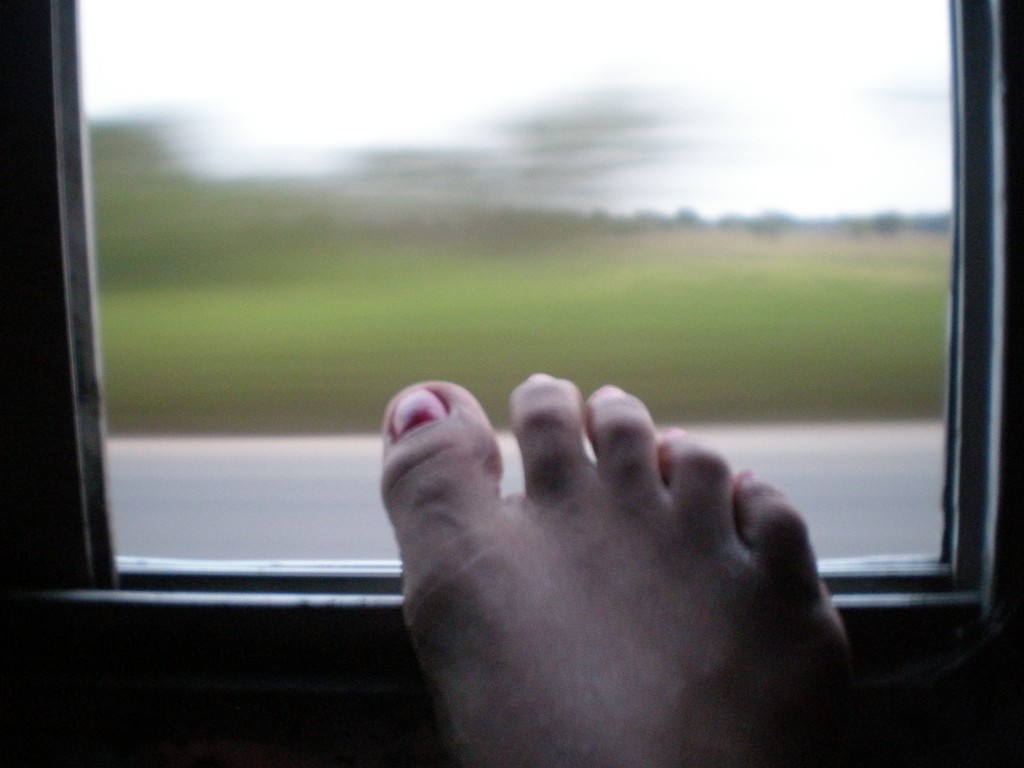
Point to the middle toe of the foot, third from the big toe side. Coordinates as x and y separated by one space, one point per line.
623 436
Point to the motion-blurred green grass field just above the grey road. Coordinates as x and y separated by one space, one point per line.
701 336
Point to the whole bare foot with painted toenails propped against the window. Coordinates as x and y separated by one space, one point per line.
650 610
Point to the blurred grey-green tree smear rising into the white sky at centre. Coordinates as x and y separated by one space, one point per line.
567 156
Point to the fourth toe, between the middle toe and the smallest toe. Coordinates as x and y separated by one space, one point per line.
701 486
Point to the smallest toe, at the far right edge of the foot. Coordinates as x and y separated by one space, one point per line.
777 535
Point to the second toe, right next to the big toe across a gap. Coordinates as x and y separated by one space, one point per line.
547 420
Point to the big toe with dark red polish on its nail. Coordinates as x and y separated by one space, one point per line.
442 471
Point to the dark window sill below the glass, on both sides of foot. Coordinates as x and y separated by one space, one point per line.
338 627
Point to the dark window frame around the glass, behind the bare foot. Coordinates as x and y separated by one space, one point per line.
68 605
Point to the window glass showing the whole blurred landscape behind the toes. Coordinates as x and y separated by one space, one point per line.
739 211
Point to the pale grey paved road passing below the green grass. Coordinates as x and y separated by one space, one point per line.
866 489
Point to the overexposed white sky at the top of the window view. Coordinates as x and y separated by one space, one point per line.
807 107
